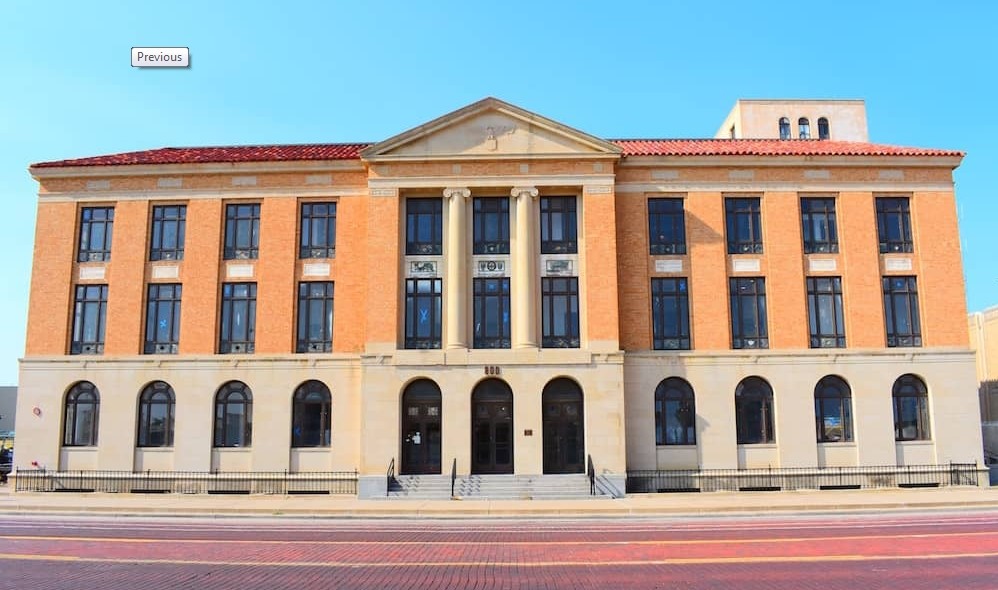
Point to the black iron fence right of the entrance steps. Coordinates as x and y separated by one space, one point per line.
804 478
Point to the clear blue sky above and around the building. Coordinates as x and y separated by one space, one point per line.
295 72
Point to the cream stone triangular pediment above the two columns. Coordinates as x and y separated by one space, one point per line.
490 128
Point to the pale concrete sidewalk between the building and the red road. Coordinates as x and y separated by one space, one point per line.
682 504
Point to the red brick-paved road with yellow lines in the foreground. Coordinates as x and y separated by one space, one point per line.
851 551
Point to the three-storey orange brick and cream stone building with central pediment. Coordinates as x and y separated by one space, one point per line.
499 290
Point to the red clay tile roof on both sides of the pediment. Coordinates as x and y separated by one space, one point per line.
630 147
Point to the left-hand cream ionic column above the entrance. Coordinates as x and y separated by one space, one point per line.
455 273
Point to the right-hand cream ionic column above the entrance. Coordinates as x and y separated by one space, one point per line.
524 275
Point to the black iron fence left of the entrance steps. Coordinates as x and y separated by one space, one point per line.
187 482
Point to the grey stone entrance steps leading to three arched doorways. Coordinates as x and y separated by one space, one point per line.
493 487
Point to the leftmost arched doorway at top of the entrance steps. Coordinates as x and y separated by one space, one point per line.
421 428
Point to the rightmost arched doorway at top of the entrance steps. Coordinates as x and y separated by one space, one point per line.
564 427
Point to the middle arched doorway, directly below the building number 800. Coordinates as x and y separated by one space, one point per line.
492 427
